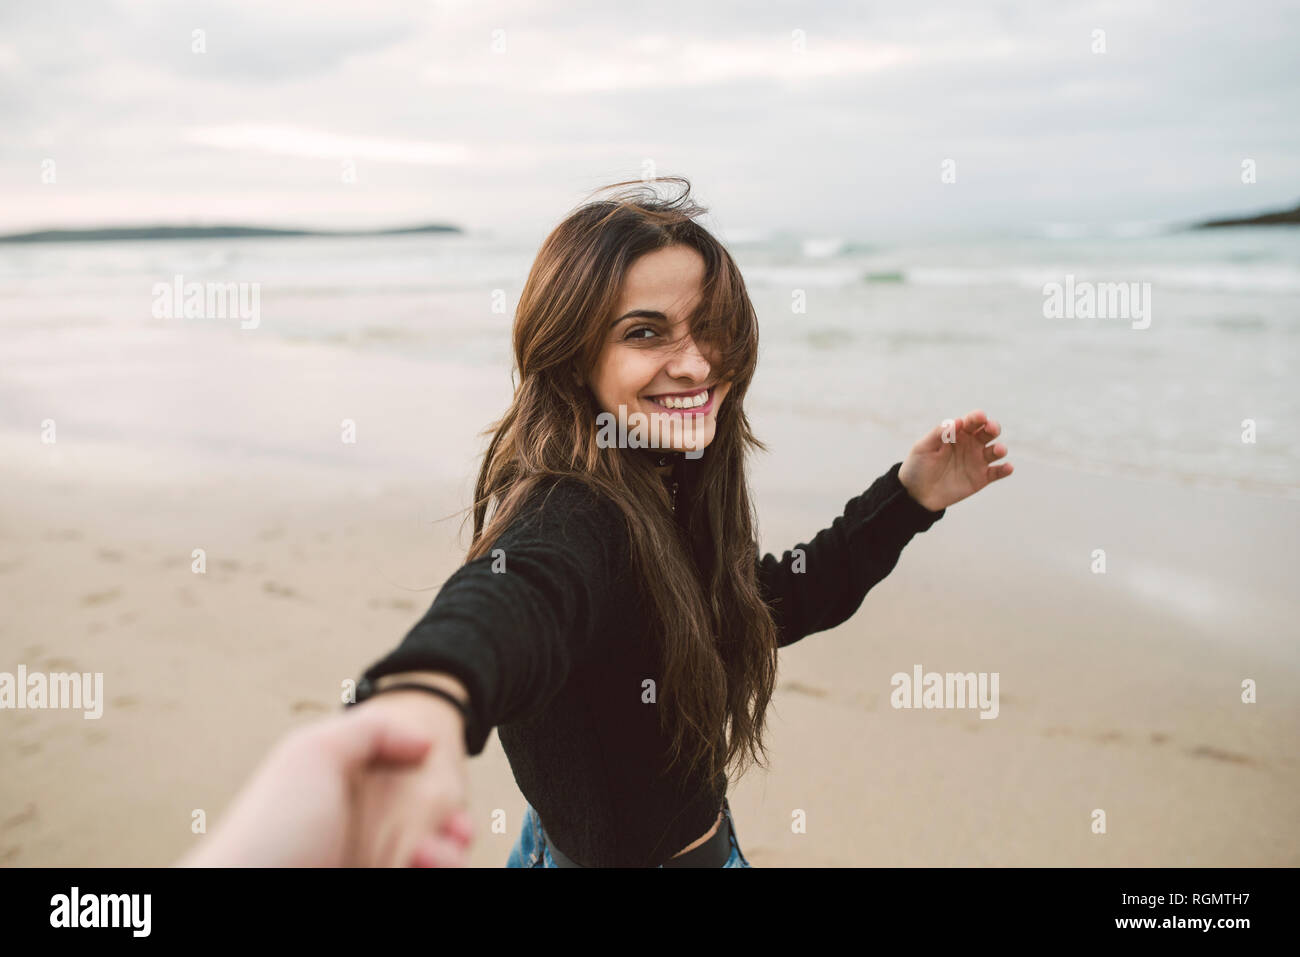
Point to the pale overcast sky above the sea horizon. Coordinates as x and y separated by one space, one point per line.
838 131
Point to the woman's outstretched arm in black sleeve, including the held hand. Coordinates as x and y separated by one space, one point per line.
504 635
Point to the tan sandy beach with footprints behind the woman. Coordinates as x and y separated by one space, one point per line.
1119 692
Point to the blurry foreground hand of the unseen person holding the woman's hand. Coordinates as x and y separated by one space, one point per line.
300 808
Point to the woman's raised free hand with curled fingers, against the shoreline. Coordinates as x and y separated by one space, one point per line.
954 464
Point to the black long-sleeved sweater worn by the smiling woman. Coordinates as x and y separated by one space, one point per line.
554 652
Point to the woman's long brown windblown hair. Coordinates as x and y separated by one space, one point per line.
718 638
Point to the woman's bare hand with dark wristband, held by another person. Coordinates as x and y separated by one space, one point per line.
415 816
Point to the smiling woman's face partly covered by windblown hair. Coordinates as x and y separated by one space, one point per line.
651 365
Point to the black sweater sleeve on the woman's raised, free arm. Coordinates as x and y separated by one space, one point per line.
825 586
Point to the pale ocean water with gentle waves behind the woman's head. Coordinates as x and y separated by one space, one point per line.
409 339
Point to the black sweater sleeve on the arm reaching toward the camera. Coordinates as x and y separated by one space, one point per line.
514 623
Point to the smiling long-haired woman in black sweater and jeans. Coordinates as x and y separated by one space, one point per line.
613 618
